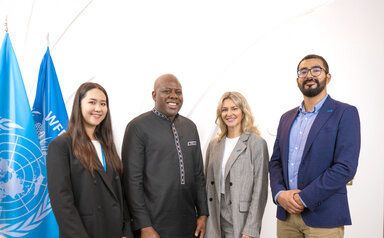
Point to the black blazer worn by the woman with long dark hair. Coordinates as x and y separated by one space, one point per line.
85 206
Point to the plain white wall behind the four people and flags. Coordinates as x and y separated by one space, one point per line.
214 46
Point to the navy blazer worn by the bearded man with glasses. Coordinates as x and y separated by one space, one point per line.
328 163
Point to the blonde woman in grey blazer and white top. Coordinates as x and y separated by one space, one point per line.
236 168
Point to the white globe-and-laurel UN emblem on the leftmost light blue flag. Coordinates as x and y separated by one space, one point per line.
24 200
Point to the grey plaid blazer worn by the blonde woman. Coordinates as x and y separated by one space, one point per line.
246 184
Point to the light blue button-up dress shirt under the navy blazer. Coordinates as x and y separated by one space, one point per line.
297 140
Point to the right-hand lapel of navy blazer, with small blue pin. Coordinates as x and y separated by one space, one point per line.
325 112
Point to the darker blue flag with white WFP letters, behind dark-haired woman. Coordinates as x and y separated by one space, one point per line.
49 111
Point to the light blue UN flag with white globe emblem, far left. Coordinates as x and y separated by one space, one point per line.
25 209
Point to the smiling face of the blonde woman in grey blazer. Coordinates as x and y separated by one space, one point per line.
232 116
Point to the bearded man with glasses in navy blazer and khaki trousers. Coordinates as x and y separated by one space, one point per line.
315 155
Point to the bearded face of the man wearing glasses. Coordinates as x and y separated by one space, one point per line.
312 86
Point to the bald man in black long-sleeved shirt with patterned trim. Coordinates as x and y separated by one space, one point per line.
163 168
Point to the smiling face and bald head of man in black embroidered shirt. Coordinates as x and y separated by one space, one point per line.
168 95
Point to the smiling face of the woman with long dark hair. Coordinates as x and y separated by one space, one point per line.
93 109
